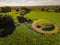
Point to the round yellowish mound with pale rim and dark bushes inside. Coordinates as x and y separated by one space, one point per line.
45 26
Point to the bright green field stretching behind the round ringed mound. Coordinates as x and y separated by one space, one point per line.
53 16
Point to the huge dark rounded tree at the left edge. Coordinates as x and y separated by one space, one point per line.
7 25
